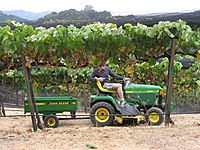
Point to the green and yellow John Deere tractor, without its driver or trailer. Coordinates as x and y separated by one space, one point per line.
144 105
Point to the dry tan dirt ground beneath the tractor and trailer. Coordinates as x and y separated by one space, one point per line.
16 133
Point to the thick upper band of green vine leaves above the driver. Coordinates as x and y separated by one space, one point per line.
88 45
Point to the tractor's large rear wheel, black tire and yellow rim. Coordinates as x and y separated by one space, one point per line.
104 109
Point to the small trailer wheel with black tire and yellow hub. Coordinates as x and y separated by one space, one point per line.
51 121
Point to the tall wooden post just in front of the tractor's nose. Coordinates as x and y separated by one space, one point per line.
169 84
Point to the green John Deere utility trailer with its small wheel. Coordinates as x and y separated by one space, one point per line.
50 106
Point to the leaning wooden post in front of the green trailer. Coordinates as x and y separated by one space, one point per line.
32 103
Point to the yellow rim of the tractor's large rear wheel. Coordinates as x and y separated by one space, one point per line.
102 115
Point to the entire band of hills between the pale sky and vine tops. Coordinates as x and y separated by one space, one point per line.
85 17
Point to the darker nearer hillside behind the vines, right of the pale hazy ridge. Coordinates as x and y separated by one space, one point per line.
80 18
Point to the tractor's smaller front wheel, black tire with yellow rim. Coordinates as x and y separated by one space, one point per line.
155 116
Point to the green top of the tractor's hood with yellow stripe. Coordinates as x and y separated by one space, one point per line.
141 88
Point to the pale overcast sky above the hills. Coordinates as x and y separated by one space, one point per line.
121 7
